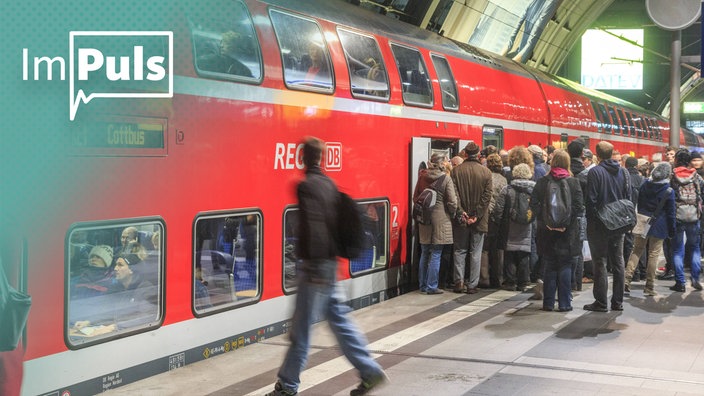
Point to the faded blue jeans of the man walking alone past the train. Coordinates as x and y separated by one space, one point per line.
315 302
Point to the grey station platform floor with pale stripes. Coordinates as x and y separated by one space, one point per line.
494 342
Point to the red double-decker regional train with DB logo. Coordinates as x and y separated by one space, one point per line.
156 232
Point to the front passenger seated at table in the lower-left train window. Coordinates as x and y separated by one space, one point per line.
130 302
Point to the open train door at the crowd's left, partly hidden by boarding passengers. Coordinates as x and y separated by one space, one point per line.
422 148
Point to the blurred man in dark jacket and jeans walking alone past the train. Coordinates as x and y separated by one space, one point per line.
317 294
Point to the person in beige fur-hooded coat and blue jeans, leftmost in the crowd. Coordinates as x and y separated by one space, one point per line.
439 232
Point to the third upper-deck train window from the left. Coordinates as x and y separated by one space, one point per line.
368 77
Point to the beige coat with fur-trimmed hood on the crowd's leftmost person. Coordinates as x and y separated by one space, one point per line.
439 231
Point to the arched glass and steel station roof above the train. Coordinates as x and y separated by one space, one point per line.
546 34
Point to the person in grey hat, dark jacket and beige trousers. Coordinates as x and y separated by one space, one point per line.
650 195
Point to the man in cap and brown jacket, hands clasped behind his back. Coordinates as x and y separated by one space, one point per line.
473 184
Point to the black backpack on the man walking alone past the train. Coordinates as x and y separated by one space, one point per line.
351 239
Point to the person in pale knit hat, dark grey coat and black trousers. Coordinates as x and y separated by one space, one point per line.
516 227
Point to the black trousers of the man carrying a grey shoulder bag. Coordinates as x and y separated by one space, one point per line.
607 249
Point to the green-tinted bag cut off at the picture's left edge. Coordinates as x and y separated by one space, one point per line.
14 309
